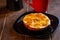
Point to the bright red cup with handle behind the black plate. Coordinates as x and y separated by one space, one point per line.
38 5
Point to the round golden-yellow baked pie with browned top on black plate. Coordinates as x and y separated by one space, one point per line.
36 21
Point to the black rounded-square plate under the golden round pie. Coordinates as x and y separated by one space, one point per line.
20 28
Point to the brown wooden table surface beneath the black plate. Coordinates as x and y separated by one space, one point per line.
7 19
